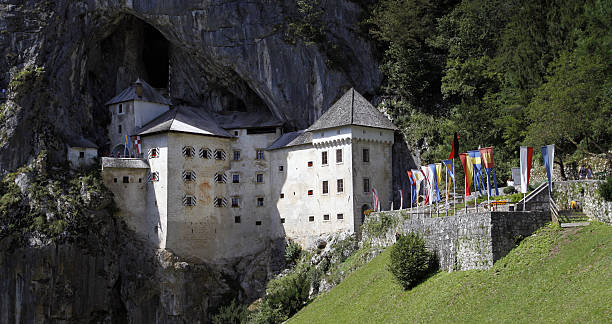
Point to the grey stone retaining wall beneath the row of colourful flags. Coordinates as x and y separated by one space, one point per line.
462 242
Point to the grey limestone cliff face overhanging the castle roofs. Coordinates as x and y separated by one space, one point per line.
217 54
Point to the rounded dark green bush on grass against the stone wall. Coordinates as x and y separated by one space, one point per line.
410 262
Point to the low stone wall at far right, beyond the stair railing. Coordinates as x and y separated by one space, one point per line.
585 193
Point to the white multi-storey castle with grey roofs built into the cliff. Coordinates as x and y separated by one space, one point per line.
216 186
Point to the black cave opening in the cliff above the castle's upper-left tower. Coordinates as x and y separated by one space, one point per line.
155 57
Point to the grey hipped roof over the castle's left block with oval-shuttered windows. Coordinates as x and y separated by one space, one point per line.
184 119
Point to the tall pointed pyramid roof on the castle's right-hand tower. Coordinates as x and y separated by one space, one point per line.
352 109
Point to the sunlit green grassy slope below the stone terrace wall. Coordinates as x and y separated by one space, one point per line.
553 276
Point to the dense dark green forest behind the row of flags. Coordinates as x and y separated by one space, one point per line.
501 73
